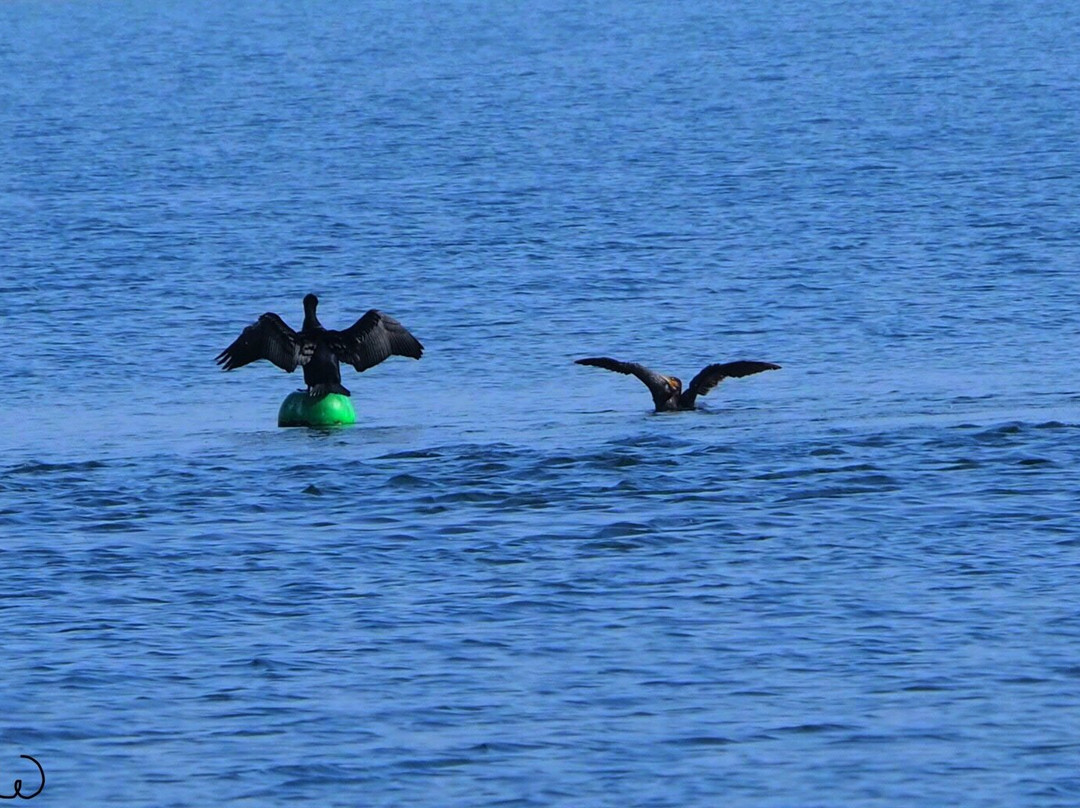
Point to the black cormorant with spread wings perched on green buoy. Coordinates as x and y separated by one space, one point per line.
363 345
